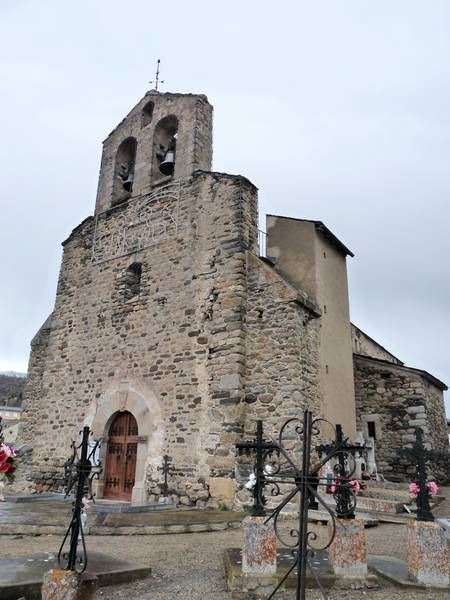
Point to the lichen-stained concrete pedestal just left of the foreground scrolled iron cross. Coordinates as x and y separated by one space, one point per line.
259 547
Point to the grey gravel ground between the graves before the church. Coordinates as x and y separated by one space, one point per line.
190 566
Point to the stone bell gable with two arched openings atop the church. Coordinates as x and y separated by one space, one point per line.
165 137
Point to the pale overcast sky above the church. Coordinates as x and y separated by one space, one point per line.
337 110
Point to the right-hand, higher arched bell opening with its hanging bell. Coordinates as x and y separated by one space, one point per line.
164 147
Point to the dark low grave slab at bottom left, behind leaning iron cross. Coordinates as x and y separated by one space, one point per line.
22 576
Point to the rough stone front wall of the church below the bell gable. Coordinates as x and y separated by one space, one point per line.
181 337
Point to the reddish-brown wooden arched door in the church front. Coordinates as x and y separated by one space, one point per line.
121 452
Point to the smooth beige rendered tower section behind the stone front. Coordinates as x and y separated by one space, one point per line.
312 263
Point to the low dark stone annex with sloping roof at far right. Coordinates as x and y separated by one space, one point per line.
397 399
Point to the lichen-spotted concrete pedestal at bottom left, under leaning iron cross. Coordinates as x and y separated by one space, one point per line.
67 585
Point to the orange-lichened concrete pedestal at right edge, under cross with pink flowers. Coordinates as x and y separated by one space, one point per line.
427 554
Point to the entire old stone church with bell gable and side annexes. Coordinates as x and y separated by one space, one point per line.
177 324
